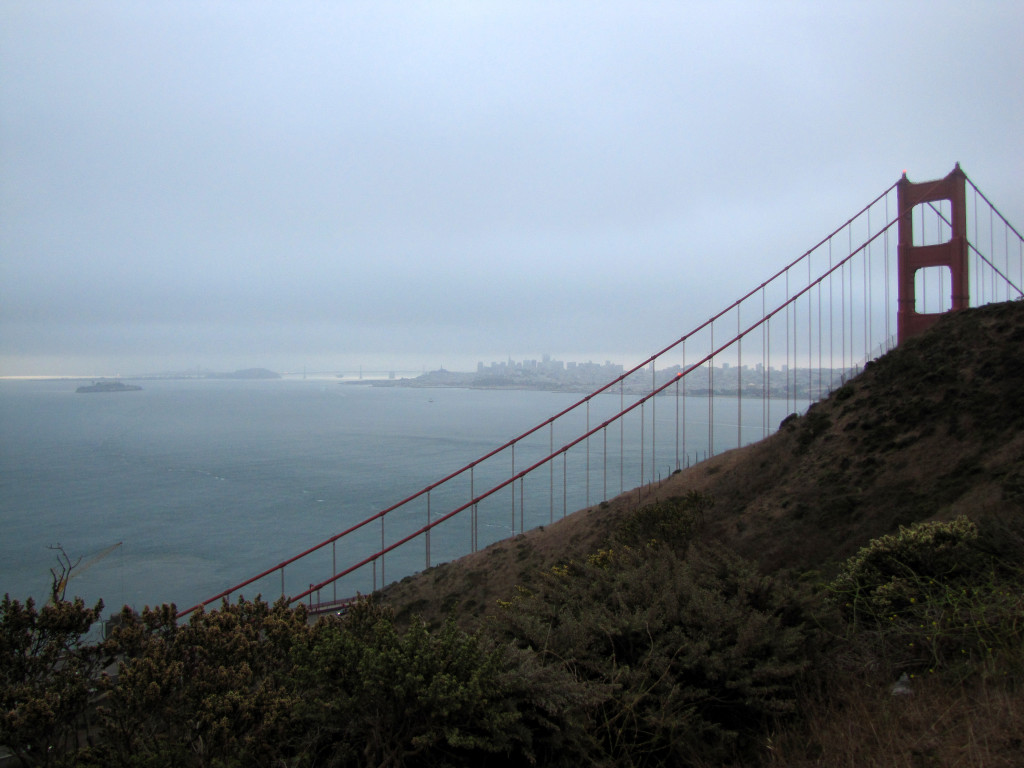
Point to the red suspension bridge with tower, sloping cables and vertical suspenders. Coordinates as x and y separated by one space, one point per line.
914 253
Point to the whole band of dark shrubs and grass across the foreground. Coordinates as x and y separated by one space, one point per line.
656 651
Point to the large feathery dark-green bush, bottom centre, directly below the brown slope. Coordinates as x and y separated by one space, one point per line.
690 657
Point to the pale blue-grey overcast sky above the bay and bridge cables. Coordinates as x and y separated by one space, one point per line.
334 185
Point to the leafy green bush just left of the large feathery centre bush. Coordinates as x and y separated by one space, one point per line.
378 697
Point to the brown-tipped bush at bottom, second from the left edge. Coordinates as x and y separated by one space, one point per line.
217 691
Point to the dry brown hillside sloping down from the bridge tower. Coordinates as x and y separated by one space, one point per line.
931 431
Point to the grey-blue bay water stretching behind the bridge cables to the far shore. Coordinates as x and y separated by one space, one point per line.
206 483
